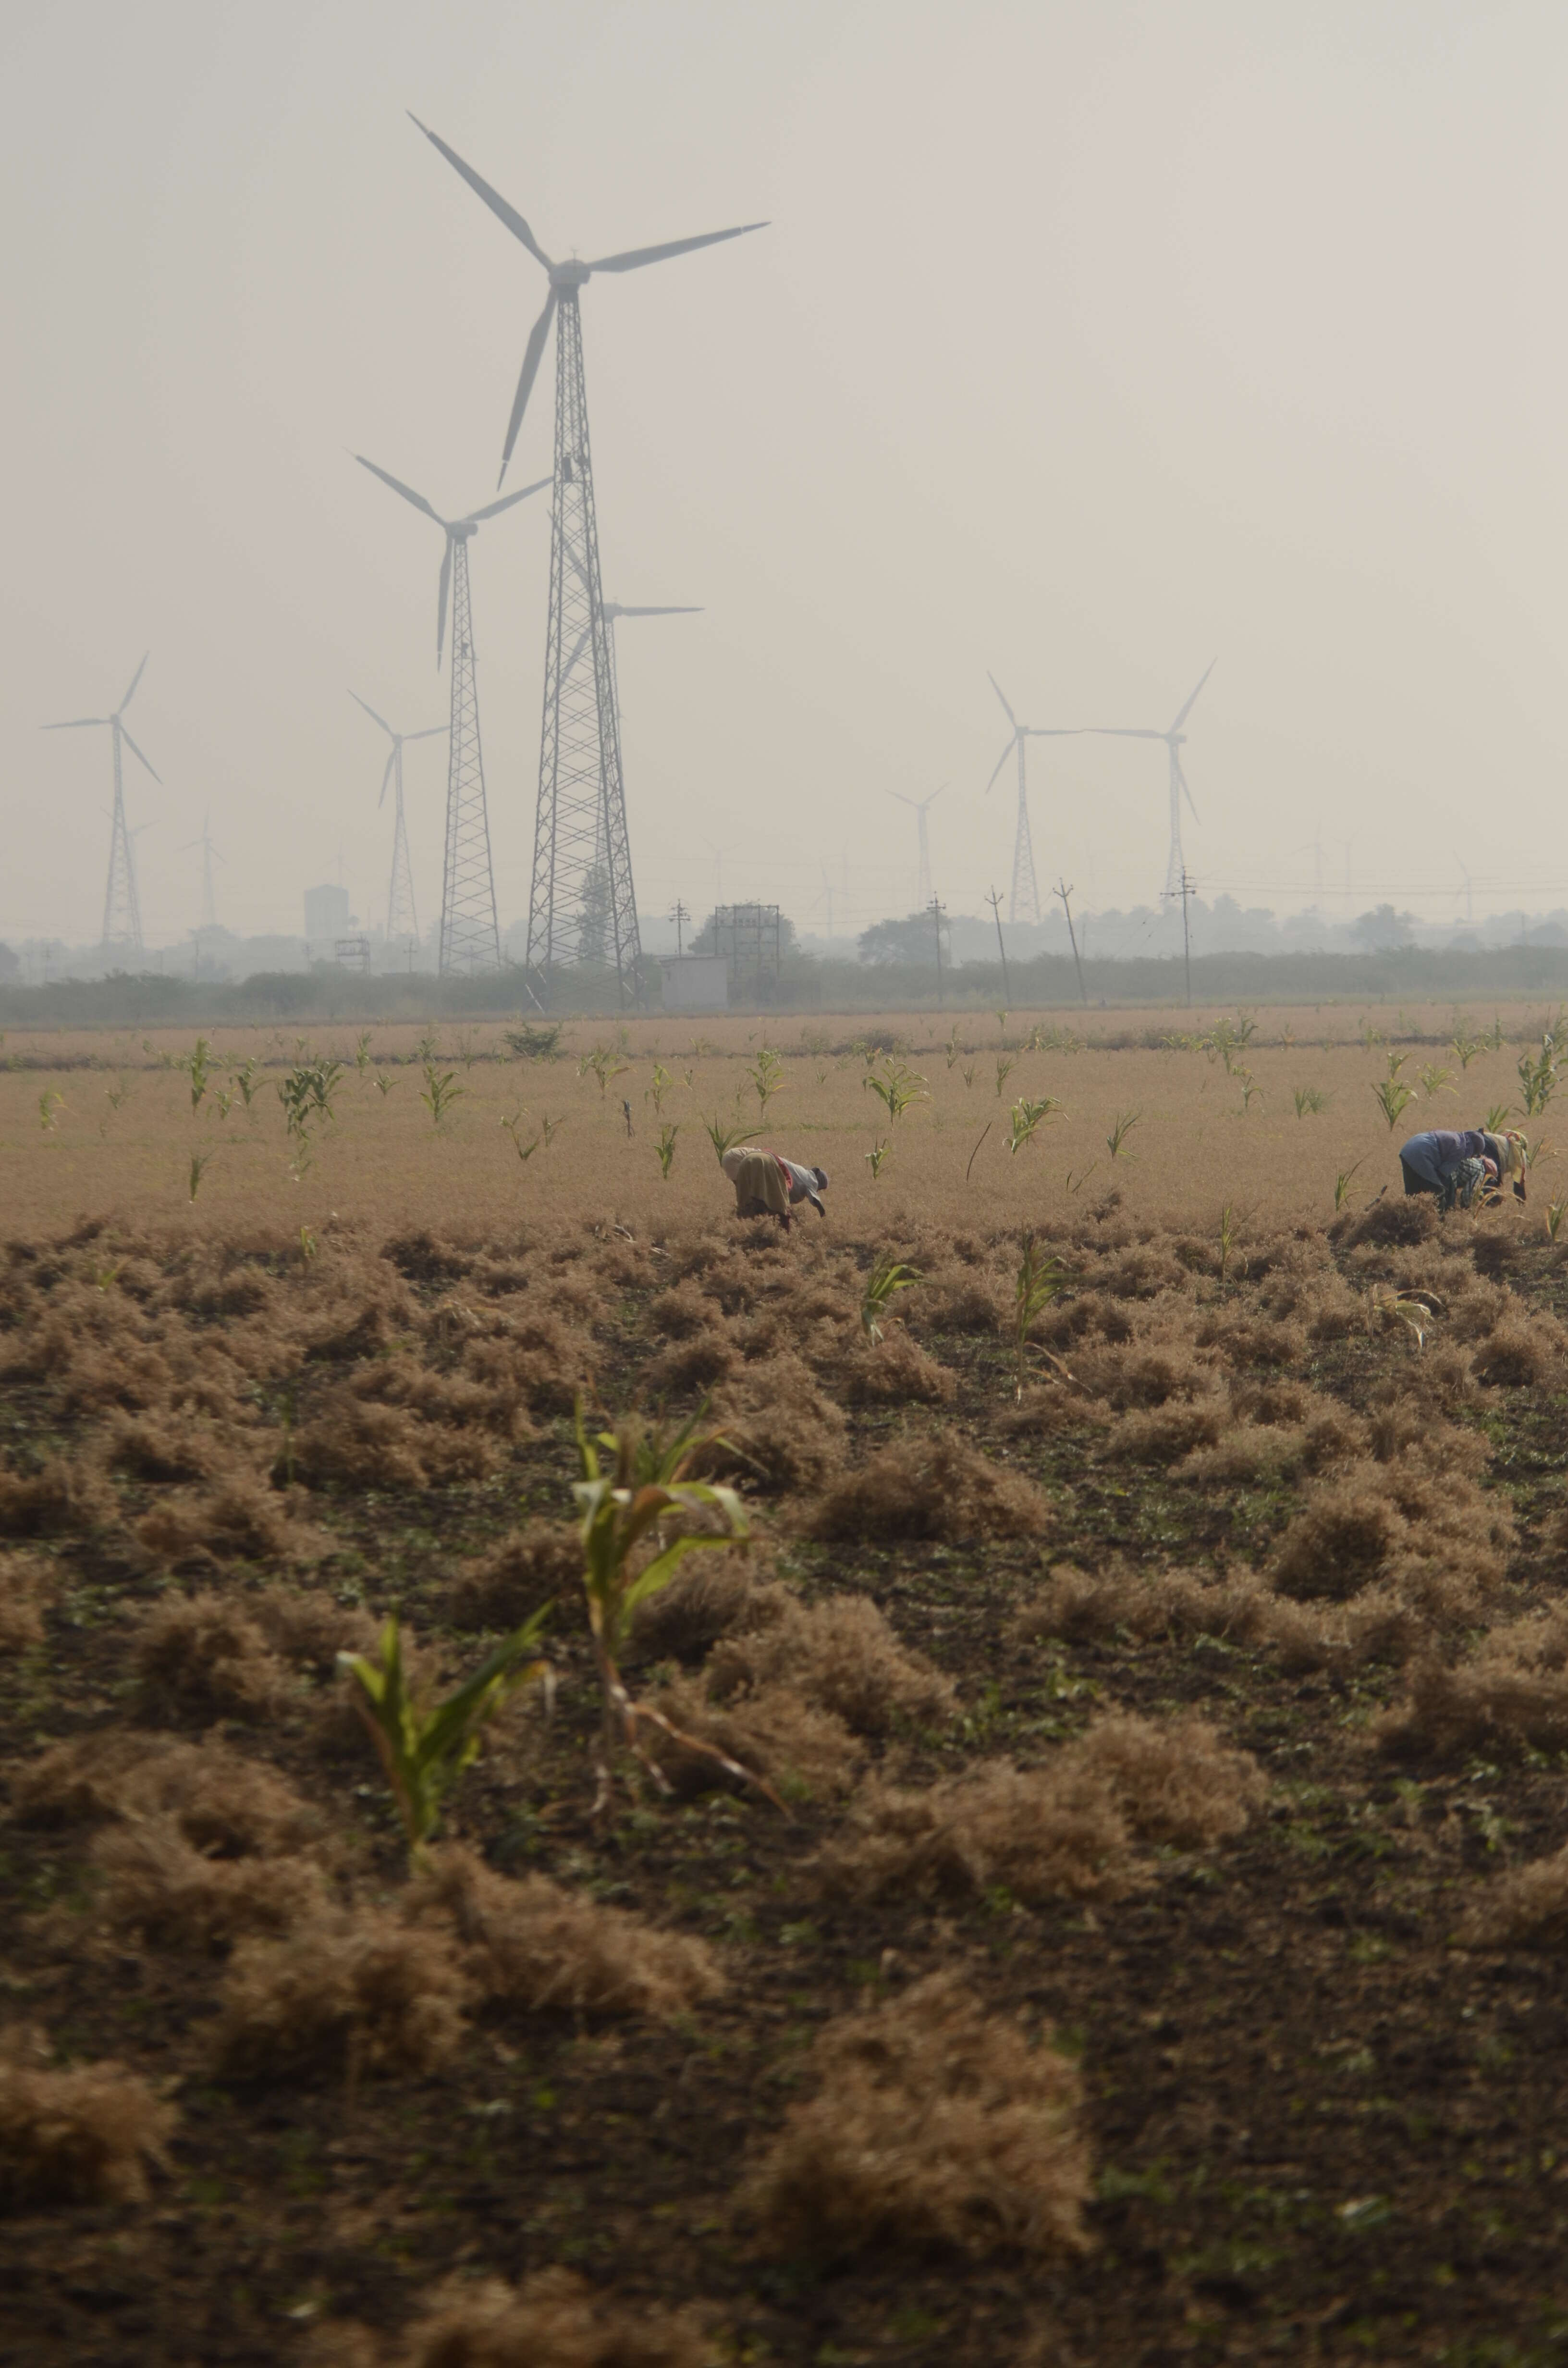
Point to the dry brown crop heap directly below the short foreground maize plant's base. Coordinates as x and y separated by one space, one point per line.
539 1948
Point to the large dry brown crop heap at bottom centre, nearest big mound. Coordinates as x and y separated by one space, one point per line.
934 2125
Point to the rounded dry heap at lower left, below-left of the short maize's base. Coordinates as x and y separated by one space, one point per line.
347 1993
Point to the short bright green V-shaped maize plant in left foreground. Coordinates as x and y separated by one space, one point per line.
425 1751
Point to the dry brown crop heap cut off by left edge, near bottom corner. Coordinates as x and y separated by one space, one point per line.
75 2137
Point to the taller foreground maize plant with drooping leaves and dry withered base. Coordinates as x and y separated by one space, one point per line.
622 1512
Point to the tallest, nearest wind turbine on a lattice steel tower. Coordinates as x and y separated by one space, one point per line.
581 816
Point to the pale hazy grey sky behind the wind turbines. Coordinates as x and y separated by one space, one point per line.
1088 342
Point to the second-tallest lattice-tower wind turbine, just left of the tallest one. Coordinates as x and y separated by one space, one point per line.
470 937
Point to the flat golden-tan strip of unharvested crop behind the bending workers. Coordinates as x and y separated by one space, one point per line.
94 1126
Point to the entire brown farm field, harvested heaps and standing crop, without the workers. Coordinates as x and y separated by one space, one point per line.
1015 1817
